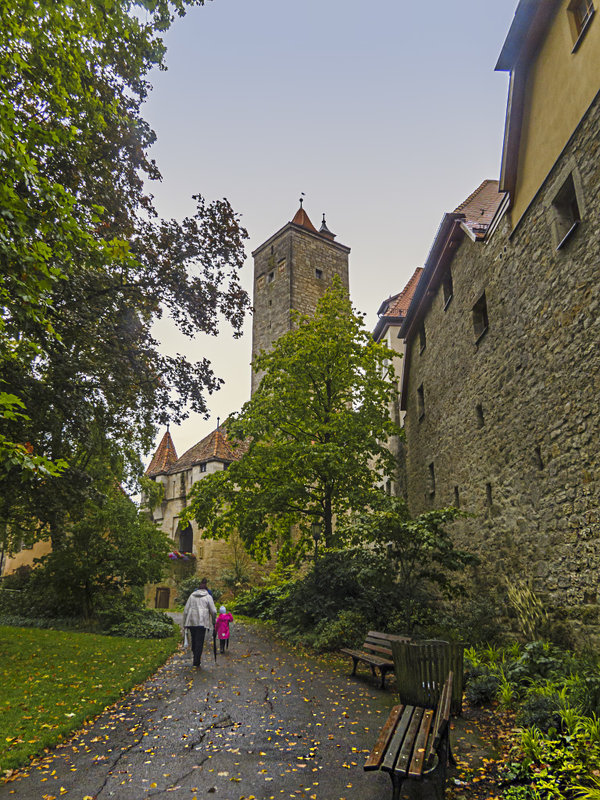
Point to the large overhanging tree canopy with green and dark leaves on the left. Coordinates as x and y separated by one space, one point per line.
86 264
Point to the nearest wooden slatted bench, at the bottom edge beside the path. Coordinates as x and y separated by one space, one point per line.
414 744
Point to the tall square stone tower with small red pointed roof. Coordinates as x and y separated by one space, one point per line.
292 270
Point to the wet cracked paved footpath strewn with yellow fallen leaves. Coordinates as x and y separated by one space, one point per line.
262 723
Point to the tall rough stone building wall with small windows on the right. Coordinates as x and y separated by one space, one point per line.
511 423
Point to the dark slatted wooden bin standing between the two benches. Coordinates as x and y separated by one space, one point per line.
422 668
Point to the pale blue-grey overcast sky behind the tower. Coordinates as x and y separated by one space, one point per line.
386 114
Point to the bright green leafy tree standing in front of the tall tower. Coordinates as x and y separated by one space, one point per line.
315 429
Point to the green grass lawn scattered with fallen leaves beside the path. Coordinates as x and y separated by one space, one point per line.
52 681
